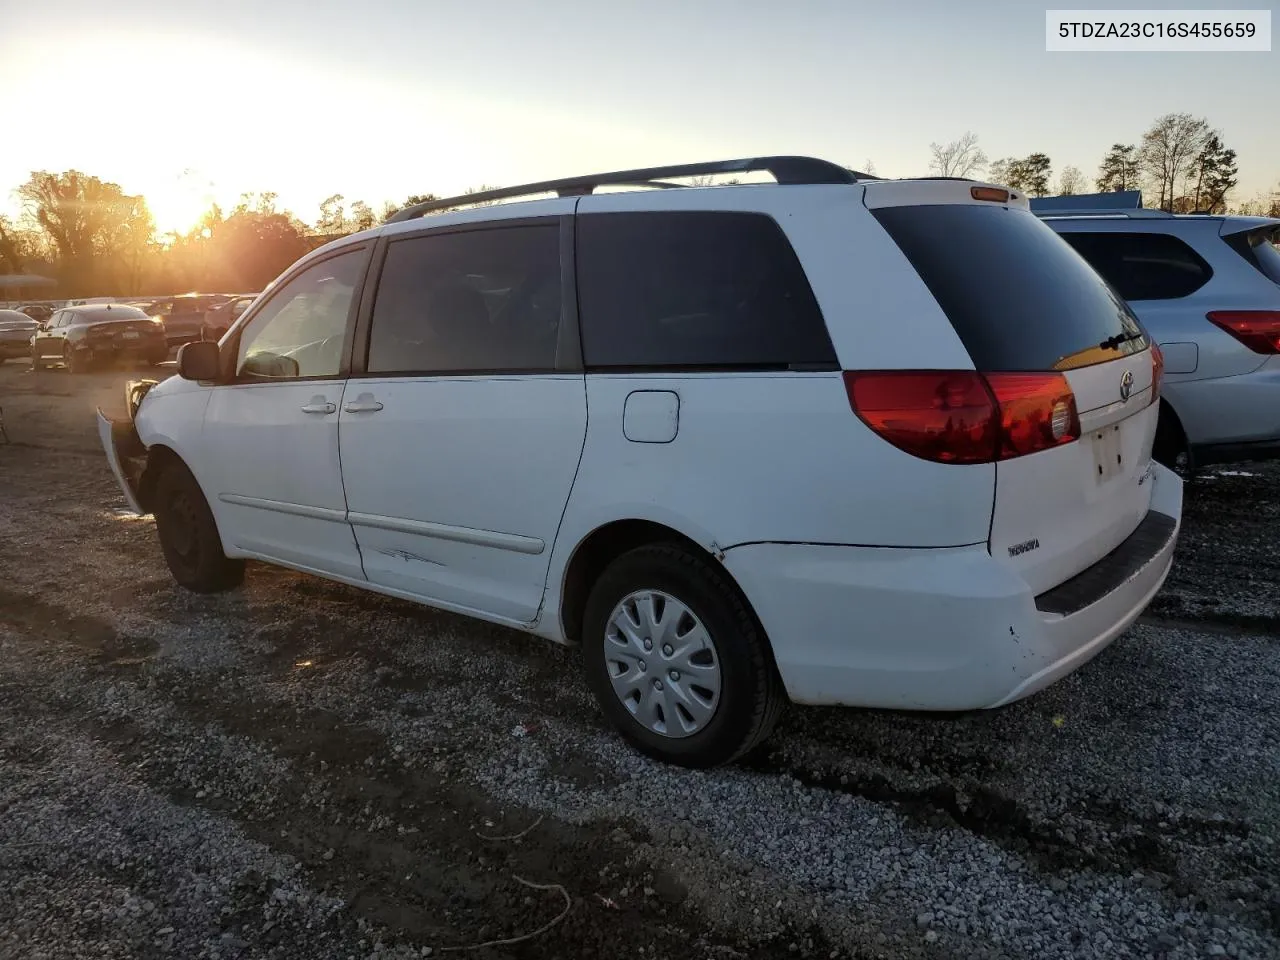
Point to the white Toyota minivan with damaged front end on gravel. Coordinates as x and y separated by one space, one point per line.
828 440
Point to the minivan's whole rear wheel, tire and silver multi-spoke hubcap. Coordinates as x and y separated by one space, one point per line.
676 659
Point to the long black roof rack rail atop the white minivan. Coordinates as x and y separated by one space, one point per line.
785 170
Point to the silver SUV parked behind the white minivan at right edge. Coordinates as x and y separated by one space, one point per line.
1208 289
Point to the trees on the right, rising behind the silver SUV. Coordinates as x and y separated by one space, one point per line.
1181 163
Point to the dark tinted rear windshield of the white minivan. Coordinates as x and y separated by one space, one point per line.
1018 296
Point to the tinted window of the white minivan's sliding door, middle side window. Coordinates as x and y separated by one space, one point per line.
476 301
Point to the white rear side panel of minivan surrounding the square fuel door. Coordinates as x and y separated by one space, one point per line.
767 458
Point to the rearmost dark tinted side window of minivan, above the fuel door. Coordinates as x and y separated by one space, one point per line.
696 290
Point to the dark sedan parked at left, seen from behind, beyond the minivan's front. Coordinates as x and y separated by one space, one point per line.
98 333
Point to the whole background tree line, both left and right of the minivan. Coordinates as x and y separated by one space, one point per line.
97 240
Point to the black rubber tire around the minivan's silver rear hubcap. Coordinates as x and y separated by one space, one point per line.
752 696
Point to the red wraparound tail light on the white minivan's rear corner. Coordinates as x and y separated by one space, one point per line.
958 417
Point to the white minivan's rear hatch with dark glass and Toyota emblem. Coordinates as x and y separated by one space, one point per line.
1054 342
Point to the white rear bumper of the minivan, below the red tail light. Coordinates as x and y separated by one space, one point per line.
943 629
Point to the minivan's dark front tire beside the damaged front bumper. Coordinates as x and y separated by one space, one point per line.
189 536
